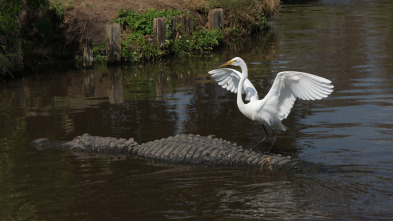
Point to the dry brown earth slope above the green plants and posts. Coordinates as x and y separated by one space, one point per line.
88 17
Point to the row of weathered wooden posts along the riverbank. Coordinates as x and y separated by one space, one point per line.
180 25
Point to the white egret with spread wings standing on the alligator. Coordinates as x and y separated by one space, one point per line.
278 102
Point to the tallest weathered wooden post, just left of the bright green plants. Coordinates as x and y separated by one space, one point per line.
113 40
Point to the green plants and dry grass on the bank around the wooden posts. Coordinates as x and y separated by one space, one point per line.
242 18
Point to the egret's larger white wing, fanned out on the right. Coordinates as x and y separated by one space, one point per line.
290 85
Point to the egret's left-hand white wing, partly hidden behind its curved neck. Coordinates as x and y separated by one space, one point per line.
229 79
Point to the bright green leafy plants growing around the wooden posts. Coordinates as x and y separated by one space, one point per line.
138 44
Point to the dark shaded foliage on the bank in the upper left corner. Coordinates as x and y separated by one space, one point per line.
27 30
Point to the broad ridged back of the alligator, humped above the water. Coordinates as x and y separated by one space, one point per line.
200 150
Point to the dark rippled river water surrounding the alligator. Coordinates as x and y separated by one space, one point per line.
347 41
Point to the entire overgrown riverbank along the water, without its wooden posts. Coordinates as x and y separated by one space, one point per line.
35 33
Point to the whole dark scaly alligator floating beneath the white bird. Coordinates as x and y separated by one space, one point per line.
187 149
